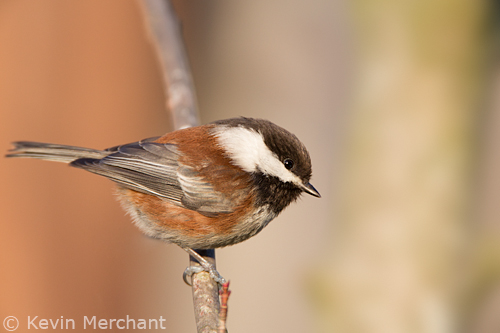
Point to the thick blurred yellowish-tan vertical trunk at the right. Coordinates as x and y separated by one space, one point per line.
406 183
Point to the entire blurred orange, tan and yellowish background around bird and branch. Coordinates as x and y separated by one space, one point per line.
397 101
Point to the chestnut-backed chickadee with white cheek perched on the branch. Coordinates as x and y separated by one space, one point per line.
201 187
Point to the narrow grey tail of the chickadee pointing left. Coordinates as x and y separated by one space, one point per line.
53 152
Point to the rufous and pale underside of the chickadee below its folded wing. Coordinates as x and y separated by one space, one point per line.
164 220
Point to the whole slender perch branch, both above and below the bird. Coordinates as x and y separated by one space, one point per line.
164 34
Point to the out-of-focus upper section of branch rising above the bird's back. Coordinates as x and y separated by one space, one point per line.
165 36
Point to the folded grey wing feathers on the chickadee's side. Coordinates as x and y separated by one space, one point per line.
154 168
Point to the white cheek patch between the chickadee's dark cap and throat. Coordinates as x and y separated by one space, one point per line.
248 151
